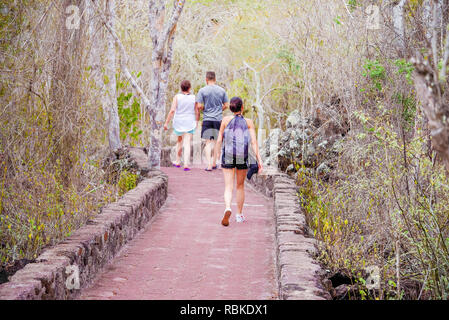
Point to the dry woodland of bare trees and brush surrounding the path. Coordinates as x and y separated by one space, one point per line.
72 90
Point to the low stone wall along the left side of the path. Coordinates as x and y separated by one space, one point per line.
90 248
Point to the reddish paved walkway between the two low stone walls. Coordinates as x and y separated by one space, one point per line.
185 253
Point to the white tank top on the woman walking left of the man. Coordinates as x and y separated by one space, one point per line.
184 119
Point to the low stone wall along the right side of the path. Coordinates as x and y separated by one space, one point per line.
297 272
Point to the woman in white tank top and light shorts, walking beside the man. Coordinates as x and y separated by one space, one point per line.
184 123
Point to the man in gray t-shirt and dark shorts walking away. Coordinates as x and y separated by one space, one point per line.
212 100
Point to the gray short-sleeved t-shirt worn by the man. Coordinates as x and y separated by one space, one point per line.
212 97
